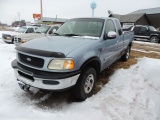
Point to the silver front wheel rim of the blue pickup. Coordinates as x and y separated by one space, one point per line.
89 83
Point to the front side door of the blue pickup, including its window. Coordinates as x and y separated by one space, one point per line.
111 47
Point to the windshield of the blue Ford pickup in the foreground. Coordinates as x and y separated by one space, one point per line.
82 27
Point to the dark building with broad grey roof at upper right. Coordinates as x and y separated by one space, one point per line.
140 17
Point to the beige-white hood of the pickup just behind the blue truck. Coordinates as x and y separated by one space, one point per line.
30 36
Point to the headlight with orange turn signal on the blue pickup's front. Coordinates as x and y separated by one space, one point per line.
61 64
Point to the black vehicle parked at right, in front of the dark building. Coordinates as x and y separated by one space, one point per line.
146 33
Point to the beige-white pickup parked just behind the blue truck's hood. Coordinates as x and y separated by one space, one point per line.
40 32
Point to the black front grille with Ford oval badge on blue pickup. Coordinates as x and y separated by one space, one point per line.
29 60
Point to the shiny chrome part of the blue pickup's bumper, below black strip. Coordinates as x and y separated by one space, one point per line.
39 82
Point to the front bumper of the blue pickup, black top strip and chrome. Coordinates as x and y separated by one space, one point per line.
44 80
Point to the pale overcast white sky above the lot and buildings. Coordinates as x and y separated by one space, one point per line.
9 9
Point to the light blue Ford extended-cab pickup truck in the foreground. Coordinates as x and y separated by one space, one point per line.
73 57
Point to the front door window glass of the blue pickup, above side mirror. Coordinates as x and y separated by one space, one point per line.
110 26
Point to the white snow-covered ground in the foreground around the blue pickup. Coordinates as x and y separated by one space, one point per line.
131 94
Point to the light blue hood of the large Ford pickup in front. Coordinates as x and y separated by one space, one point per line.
61 44
